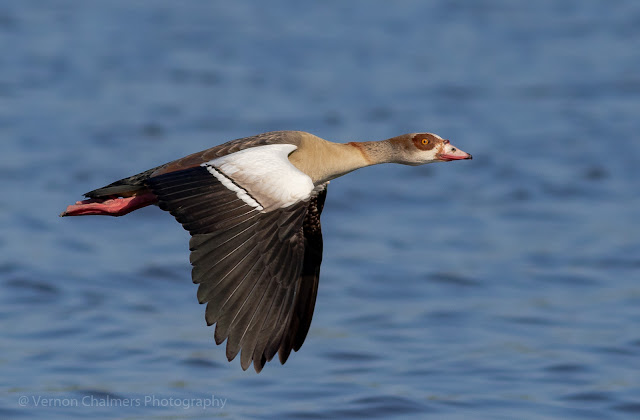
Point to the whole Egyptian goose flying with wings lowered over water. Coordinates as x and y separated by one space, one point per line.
252 207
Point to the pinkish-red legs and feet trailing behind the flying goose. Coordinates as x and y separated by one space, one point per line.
110 206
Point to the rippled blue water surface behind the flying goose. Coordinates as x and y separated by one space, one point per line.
506 287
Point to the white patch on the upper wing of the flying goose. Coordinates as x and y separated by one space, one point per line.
263 176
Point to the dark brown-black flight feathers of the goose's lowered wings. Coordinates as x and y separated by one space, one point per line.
257 271
